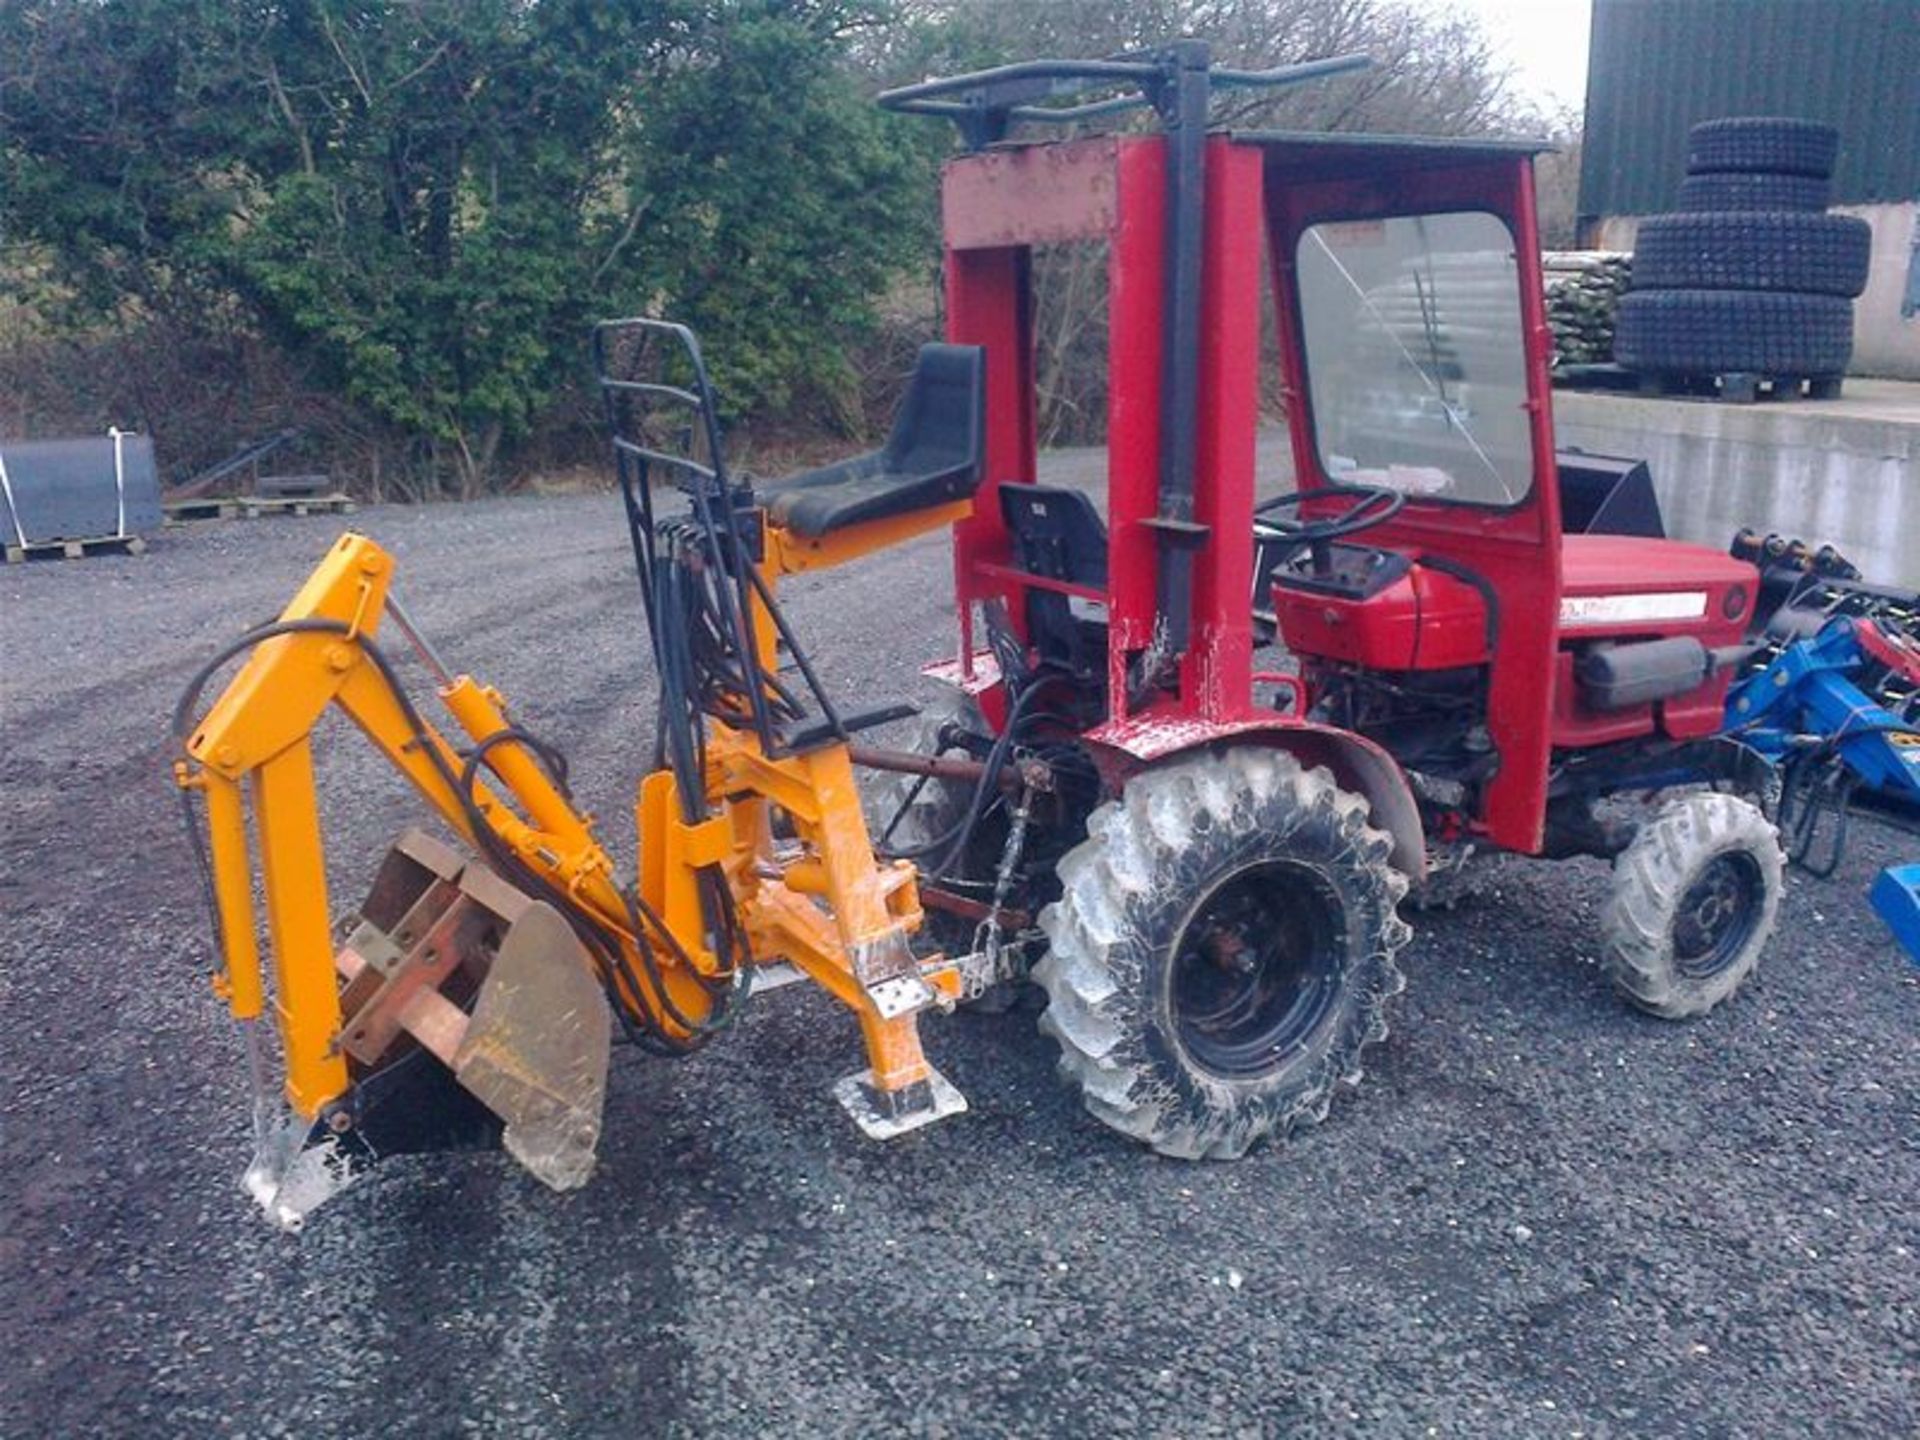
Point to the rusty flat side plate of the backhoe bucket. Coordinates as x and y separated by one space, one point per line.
537 1049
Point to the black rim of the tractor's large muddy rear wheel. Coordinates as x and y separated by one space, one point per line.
1257 969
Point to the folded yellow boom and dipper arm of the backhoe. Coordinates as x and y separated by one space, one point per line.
256 742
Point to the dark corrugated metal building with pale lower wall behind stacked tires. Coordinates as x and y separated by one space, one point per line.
1660 66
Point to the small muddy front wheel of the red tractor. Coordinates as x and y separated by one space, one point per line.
1694 903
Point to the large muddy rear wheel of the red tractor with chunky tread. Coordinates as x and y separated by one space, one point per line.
1222 953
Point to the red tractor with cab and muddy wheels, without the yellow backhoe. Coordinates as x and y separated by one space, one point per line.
1201 850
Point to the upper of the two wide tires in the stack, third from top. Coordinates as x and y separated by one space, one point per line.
1754 251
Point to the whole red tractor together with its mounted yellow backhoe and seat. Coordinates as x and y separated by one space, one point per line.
1199 853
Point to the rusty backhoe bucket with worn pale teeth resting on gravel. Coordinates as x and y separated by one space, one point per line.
471 1020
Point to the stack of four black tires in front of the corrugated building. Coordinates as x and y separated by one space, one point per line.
1752 277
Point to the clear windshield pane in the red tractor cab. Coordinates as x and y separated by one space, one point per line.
1416 358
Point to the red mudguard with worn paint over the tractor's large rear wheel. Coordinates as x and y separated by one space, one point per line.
1360 765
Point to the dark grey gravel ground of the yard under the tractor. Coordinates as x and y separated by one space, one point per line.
1541 1216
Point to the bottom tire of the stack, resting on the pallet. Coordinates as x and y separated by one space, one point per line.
1733 333
